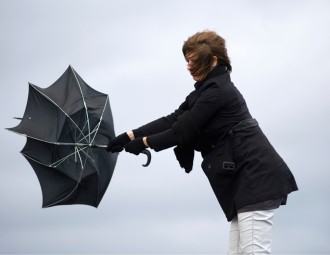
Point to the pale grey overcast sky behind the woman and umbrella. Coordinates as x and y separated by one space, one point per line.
132 51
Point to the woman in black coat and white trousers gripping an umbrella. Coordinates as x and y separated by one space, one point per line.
248 177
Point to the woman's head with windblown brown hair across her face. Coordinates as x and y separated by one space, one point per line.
203 51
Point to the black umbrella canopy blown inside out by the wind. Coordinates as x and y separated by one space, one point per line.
68 126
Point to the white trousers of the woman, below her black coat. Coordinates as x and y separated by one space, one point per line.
251 233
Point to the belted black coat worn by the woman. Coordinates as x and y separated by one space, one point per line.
211 111
